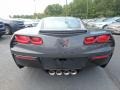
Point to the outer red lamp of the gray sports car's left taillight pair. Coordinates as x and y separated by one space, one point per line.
22 39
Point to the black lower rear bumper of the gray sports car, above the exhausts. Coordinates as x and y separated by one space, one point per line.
60 62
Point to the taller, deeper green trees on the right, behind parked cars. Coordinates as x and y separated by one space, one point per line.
93 8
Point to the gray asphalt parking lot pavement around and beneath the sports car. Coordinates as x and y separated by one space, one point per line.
94 78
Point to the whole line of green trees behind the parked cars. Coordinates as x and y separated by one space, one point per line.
81 8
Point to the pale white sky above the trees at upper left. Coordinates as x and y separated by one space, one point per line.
26 7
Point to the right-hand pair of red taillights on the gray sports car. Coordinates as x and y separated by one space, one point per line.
97 39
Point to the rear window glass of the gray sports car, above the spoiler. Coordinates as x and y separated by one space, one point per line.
60 23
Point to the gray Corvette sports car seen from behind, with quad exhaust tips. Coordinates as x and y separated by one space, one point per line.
61 45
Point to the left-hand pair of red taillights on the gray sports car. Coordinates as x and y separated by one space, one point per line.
28 40
